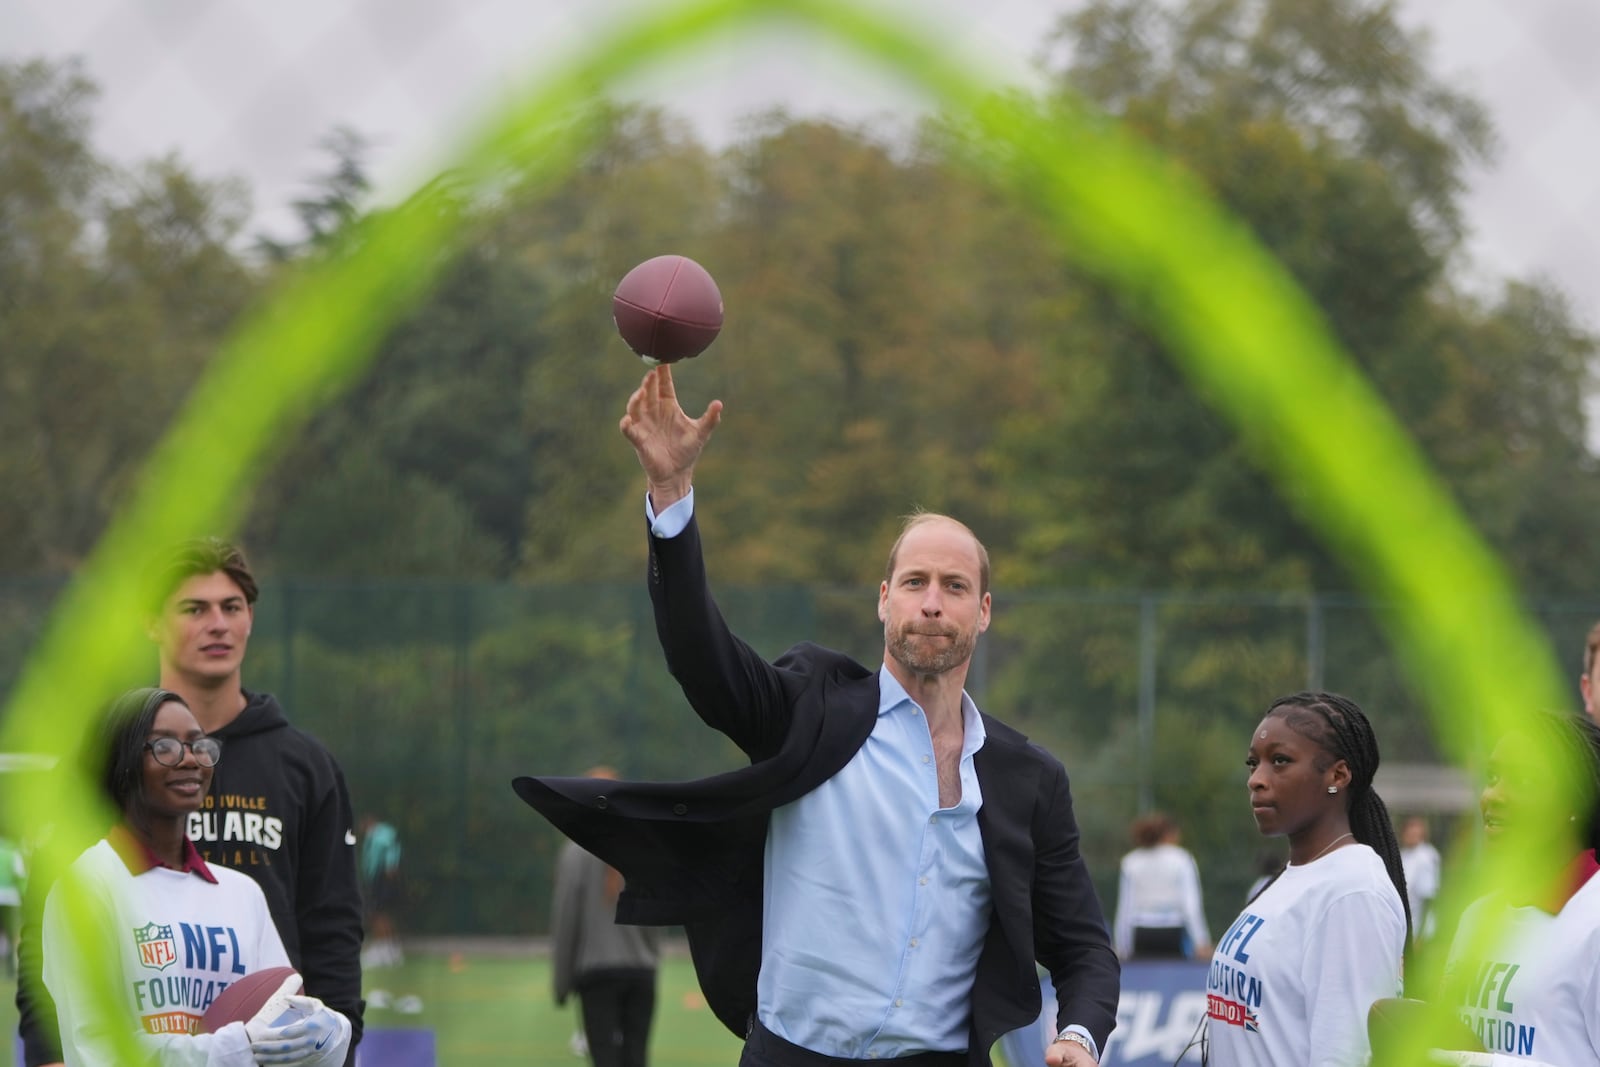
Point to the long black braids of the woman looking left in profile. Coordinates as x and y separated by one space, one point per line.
1340 727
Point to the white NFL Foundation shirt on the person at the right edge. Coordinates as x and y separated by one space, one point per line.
1537 997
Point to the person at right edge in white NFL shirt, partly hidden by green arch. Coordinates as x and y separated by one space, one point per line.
1530 986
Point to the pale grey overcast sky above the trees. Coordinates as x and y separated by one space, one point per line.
250 89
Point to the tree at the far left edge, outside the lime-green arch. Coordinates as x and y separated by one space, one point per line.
114 289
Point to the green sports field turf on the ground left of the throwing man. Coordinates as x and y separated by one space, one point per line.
497 1012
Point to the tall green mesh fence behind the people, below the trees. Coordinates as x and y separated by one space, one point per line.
434 697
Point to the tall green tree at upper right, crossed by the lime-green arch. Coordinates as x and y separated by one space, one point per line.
1319 126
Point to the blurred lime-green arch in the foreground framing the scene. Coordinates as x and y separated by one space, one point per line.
1233 318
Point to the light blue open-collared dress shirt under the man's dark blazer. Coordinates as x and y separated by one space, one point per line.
878 900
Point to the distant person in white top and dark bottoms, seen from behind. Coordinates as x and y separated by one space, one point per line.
1159 913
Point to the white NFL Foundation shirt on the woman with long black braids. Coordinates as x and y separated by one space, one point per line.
1294 977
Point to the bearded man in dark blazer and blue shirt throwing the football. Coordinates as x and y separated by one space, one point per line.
882 877
